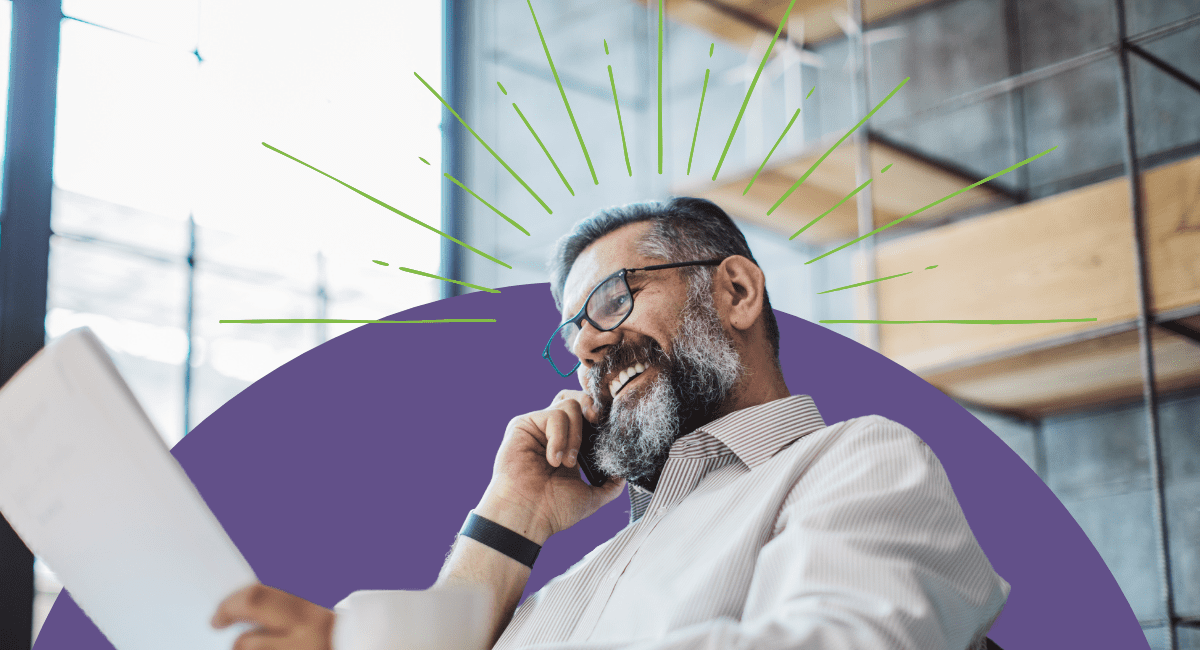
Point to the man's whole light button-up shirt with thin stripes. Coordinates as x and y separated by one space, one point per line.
770 529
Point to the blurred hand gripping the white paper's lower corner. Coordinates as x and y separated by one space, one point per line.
285 622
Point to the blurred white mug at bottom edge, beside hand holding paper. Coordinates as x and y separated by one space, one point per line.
451 618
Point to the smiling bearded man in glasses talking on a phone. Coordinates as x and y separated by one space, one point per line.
753 523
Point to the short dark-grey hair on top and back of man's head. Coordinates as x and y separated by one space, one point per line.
685 230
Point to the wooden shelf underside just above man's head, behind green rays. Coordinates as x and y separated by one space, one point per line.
911 184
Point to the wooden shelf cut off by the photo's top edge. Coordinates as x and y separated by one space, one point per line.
740 22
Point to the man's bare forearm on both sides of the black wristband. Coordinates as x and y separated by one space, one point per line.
501 577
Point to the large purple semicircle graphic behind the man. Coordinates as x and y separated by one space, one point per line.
355 466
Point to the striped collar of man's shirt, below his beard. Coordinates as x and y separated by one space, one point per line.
757 434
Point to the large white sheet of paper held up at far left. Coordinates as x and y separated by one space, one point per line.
91 487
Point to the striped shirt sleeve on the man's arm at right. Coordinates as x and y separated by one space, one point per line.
871 551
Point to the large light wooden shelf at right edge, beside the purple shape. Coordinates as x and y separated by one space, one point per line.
1069 256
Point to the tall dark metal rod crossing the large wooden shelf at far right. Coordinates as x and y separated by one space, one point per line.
1145 324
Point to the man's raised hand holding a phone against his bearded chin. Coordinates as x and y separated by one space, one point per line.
536 486
